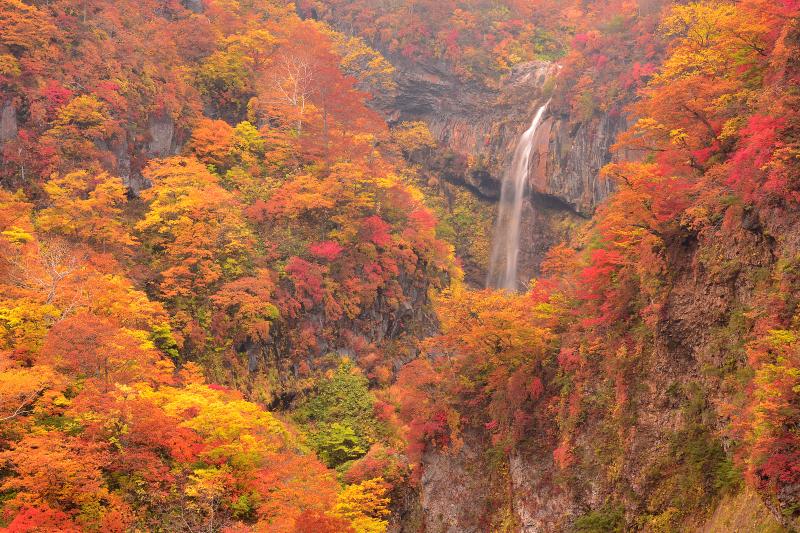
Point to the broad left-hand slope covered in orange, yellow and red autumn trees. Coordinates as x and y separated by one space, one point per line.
204 256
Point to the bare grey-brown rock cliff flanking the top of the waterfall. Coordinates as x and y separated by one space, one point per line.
478 128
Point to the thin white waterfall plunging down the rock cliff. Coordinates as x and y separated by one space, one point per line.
505 245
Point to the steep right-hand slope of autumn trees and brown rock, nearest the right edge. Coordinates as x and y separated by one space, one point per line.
648 380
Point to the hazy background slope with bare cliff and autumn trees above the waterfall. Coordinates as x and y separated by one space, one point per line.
477 114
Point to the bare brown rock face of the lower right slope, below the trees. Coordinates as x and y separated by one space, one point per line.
669 447
